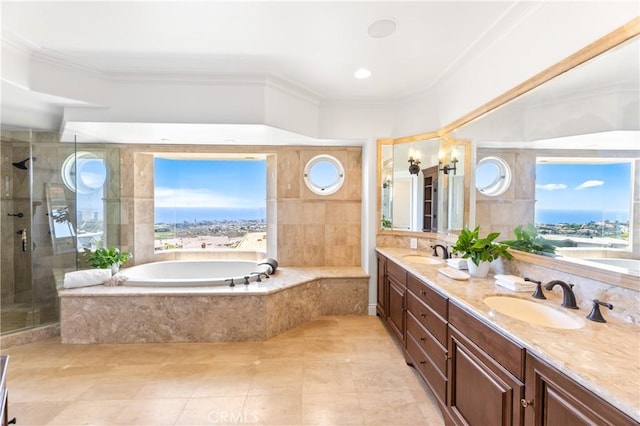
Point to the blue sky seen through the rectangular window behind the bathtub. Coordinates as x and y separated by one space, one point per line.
210 183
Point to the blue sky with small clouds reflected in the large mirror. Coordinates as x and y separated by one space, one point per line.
583 186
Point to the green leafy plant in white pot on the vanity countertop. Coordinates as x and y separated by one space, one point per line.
481 251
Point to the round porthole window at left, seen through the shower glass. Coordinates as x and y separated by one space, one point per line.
83 172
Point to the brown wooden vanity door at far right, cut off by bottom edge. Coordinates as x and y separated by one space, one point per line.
555 400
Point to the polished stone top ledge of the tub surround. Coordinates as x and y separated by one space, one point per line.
284 277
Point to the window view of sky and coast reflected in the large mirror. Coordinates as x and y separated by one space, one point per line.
584 203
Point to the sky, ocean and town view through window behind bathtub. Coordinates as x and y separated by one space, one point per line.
210 203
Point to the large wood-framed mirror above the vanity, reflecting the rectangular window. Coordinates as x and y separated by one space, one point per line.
572 150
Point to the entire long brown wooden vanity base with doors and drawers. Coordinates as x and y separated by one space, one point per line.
477 374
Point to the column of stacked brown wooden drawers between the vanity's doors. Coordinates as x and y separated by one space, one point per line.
427 335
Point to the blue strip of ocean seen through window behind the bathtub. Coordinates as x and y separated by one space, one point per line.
179 215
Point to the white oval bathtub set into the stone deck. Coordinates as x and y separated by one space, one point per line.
194 273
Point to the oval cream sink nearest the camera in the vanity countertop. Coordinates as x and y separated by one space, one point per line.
534 312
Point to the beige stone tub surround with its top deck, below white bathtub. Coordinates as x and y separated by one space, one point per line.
211 314
